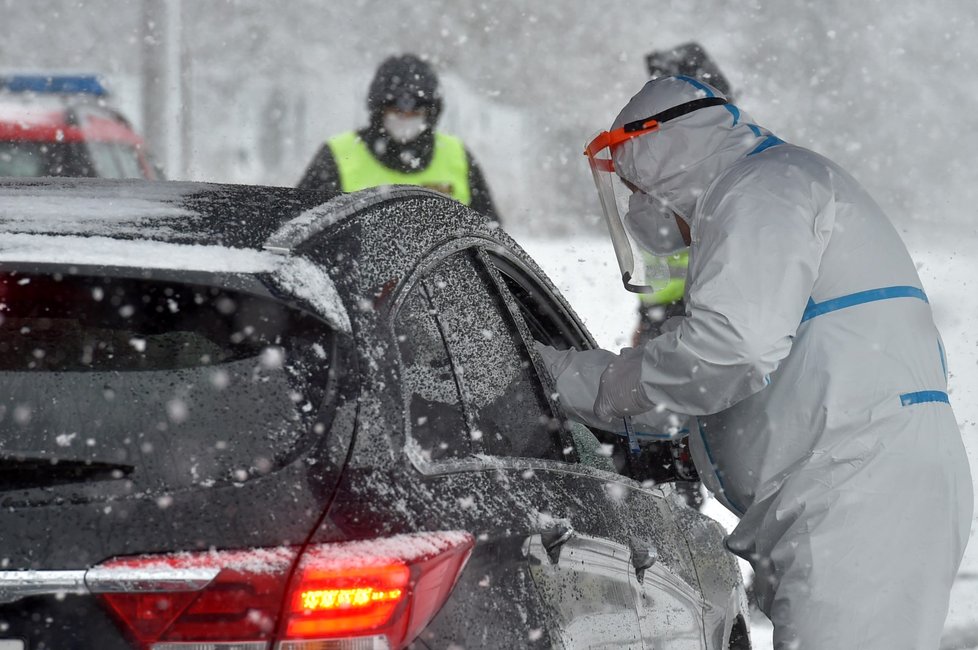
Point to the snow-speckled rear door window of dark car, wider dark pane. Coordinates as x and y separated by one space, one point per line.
507 408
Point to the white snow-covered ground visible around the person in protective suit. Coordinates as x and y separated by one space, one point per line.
585 271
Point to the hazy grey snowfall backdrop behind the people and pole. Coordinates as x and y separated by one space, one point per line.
882 86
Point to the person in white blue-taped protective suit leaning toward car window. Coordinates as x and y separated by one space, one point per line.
807 361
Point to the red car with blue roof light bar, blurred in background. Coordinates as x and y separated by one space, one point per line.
63 126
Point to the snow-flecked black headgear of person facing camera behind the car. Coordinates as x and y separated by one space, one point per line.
406 83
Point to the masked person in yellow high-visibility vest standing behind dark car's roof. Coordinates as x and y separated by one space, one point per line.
400 145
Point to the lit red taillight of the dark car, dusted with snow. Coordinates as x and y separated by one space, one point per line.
388 589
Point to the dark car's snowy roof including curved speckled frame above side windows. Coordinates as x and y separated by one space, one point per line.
241 229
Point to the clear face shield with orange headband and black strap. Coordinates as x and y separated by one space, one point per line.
638 274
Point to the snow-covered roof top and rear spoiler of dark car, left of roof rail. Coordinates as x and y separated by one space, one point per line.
174 226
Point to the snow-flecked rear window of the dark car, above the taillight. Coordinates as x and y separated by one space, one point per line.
165 385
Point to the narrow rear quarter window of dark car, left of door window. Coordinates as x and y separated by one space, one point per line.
436 417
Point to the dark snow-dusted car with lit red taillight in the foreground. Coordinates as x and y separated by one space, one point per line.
253 417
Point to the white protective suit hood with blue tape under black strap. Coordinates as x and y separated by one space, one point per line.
678 162
